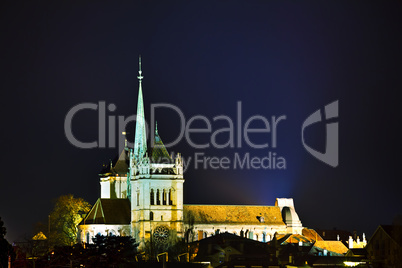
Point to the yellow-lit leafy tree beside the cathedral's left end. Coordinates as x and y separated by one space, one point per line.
68 212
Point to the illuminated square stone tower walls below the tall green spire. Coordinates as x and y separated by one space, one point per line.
156 198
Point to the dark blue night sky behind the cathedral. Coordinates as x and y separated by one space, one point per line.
275 57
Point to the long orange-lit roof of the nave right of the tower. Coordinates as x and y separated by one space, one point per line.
233 214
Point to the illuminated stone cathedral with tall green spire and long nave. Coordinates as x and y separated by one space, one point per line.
142 196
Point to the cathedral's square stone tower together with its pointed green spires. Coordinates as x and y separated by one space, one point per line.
155 186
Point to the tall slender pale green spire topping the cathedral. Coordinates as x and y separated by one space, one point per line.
140 141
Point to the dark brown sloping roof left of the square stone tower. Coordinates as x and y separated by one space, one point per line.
109 211
